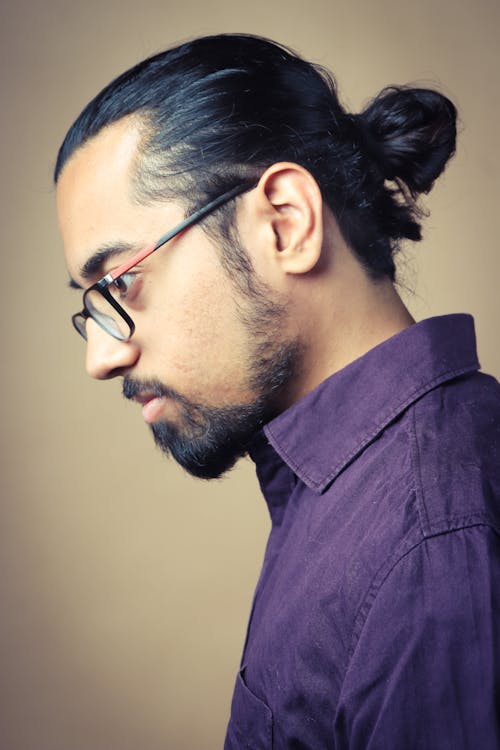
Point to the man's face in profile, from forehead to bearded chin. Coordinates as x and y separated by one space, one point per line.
208 364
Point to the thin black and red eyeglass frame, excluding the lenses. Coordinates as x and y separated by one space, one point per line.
102 285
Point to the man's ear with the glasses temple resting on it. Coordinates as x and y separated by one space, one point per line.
289 198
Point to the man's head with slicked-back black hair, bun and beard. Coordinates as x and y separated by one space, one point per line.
225 335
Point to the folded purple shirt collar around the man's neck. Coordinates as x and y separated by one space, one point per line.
320 434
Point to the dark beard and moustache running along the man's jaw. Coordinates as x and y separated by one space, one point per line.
207 440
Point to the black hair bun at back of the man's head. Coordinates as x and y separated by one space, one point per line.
411 134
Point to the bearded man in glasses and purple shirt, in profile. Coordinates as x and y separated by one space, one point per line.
266 321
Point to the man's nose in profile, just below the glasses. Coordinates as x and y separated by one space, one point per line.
106 356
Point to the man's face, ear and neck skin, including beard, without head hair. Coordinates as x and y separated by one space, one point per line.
209 363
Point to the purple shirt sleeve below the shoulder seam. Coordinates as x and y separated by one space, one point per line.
424 673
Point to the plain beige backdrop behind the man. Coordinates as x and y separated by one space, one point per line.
124 585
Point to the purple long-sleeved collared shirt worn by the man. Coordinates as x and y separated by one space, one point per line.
376 619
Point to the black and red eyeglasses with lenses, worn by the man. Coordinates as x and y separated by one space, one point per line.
100 300
